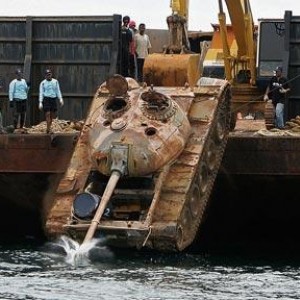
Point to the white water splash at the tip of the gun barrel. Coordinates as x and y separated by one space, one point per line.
80 254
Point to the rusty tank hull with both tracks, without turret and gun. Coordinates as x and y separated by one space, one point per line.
164 209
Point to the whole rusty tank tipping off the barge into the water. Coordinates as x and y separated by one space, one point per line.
144 165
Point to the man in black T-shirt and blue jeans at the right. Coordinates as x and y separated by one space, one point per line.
277 90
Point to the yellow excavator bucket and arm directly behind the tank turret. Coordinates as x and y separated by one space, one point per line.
176 65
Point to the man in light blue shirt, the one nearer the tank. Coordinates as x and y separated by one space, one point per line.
49 93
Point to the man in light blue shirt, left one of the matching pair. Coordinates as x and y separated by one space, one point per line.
18 90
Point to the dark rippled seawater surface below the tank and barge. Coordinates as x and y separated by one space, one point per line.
31 271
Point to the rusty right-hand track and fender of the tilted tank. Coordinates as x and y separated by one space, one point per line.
190 180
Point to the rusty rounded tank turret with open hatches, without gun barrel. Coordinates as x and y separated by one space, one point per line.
147 130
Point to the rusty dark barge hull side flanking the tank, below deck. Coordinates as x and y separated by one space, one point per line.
255 198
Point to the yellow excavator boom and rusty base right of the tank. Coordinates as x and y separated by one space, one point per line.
240 55
